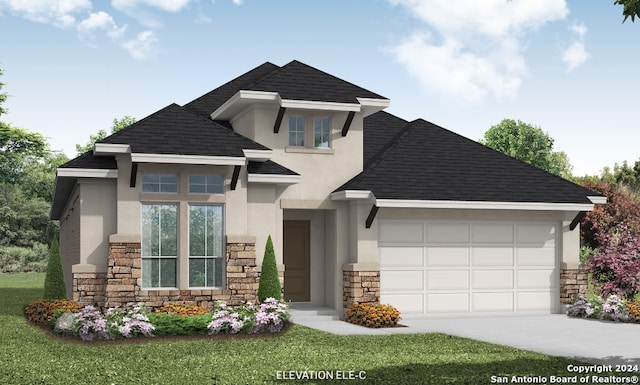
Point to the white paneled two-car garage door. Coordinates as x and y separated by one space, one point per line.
458 267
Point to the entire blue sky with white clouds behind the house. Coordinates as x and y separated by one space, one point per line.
570 67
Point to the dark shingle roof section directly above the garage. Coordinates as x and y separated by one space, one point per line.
427 162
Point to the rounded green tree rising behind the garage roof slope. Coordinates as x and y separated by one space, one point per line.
529 144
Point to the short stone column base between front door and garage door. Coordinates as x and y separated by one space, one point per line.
361 283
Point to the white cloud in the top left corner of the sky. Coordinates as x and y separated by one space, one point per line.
59 13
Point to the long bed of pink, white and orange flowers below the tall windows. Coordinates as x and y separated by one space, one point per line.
89 323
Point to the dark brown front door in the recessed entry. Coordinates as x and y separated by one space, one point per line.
296 250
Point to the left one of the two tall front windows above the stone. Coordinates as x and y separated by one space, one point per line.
159 245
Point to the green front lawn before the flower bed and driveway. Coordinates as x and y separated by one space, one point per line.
29 356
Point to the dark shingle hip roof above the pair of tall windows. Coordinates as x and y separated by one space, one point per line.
176 130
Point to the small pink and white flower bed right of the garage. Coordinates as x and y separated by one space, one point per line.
613 308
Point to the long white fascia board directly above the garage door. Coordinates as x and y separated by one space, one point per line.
480 205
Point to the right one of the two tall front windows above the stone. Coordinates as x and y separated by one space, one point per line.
206 247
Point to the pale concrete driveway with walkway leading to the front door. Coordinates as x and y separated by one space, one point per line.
592 341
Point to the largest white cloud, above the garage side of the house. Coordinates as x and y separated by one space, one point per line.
474 48
